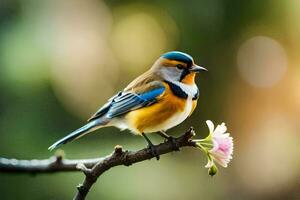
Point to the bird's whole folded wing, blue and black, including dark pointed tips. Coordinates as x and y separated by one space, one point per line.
124 102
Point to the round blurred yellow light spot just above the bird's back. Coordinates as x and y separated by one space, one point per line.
138 36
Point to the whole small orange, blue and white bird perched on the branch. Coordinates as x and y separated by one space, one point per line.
159 99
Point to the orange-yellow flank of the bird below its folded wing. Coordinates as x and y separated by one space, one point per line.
151 117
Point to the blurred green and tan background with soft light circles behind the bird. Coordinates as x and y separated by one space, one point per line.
61 59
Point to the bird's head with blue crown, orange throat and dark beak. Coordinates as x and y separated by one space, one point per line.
178 66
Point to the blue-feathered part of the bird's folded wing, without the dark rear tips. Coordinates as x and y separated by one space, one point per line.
131 101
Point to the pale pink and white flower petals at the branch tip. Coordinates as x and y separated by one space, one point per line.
222 145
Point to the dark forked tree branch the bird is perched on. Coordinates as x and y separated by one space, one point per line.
94 168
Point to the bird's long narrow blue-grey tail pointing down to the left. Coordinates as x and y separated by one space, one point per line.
89 127
